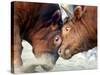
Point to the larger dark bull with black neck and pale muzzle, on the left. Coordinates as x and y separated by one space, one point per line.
39 24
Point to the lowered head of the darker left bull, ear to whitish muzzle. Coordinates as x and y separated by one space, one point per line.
46 42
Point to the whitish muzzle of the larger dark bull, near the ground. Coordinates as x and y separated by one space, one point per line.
47 61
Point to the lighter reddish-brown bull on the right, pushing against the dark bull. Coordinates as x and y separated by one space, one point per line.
80 32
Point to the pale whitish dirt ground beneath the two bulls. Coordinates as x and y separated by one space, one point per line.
81 61
